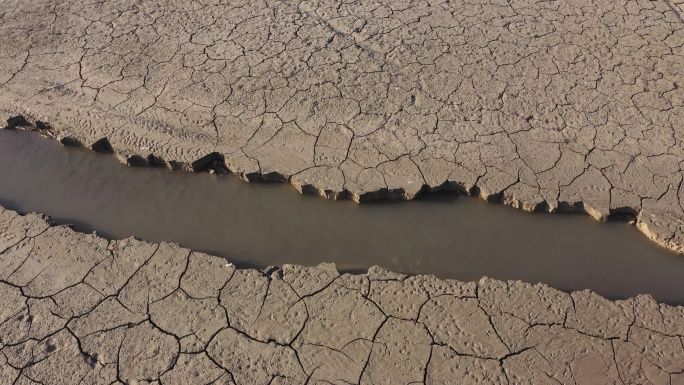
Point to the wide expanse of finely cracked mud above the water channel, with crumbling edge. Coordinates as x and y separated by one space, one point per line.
547 105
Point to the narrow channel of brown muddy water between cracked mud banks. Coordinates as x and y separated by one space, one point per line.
258 225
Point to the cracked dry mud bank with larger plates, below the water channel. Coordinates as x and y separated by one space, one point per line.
79 309
